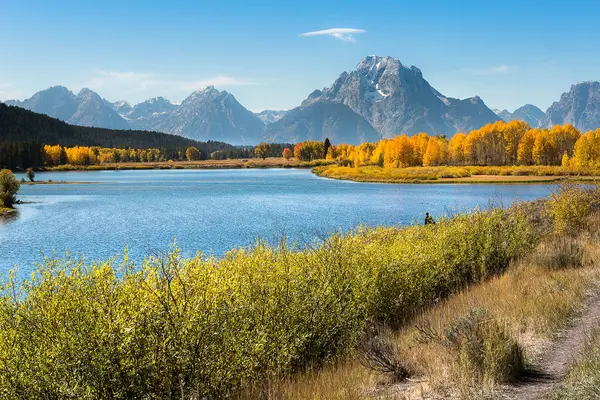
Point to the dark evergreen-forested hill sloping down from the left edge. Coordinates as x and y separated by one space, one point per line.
20 125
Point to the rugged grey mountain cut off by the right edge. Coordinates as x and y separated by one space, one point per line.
579 107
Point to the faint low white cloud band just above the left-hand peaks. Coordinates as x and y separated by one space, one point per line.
135 82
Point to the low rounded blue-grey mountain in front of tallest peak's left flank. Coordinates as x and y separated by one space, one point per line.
320 120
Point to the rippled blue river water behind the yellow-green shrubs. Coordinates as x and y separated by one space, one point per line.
213 211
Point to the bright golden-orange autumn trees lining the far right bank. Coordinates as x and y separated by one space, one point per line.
498 144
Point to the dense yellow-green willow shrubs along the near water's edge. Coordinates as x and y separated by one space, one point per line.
204 327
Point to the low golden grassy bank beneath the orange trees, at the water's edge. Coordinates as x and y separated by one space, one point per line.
468 174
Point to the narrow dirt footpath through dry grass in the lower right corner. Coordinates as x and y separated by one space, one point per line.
552 366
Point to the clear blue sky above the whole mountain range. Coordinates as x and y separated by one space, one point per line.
509 53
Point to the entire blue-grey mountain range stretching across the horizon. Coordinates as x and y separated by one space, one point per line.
381 97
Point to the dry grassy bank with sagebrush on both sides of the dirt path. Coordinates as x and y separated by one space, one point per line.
523 310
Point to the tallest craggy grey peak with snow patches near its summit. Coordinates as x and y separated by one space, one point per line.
396 99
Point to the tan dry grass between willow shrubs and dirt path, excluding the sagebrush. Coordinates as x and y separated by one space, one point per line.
533 302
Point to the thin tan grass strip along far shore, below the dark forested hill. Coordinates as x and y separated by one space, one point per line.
271 162
